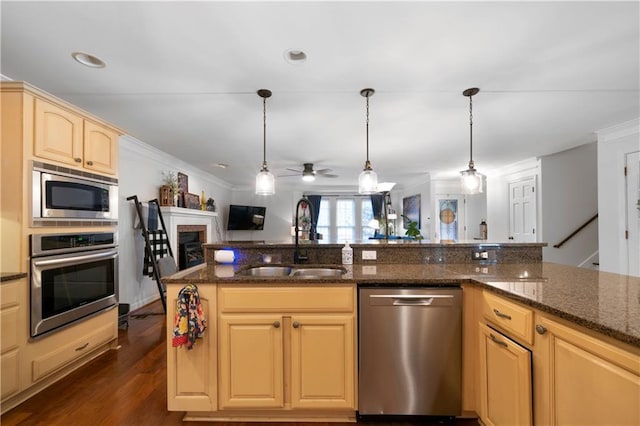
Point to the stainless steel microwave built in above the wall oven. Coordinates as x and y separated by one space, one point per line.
59 193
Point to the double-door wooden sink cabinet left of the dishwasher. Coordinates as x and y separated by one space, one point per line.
272 346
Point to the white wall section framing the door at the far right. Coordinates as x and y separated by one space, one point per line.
613 143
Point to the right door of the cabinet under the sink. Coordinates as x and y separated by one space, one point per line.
322 361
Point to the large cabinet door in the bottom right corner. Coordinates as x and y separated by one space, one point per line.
585 380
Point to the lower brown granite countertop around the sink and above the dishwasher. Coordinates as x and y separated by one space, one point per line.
601 301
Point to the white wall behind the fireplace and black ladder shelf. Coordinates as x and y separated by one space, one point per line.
140 173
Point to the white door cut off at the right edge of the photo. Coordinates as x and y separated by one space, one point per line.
632 197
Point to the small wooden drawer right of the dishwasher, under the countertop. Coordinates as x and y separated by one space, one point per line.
516 320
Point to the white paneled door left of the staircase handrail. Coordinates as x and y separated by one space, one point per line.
522 210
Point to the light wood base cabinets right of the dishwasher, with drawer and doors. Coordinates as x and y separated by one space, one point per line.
535 368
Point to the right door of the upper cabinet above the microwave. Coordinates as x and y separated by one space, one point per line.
100 148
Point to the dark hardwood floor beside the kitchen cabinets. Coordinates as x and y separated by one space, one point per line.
124 387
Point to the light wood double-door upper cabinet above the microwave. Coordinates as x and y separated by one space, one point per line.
66 137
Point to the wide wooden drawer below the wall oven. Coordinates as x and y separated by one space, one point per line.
63 355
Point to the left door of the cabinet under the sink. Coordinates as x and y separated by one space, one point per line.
251 361
